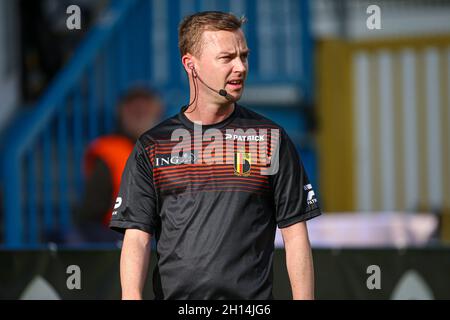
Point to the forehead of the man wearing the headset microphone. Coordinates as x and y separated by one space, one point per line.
223 40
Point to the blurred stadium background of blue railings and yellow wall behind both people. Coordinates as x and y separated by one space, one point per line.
369 111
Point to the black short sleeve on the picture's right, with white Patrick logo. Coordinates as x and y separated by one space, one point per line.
294 197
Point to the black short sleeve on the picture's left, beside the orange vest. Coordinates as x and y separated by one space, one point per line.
135 206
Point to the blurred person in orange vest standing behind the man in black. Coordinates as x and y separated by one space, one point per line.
104 160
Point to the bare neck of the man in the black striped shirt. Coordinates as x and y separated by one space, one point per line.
210 113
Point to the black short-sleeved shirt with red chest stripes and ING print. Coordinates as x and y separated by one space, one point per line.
212 209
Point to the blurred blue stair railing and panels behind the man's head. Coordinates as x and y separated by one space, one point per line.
134 42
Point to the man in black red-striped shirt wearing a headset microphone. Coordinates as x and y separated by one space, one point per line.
212 183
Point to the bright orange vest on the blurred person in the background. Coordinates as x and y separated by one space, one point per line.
114 151
